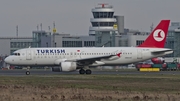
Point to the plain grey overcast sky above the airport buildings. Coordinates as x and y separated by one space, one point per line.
73 16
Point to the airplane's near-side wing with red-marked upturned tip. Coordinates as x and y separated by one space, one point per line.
91 60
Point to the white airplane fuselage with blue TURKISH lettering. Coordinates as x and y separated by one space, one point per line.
49 56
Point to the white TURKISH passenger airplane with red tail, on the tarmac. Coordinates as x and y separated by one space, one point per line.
81 58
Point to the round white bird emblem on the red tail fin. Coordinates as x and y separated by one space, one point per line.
159 35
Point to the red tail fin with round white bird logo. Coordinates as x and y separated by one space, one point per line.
157 38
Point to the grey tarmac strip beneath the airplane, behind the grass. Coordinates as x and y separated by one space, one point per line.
20 72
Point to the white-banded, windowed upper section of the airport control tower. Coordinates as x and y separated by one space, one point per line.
103 19
